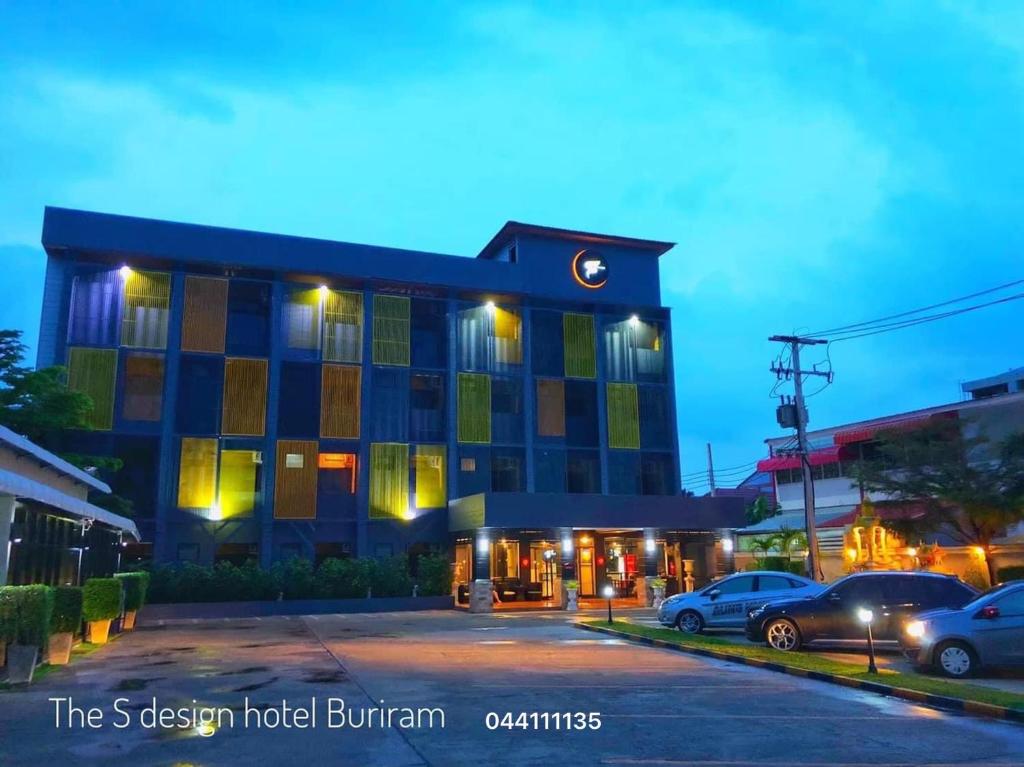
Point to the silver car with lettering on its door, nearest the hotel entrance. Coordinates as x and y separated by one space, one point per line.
724 605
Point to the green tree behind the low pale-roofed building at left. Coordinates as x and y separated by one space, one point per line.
38 405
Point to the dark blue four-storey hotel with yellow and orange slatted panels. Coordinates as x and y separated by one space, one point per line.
279 396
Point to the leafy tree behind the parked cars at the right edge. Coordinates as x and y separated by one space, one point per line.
966 487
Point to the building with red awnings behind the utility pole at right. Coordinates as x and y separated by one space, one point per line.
838 498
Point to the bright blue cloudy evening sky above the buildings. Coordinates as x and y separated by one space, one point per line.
818 165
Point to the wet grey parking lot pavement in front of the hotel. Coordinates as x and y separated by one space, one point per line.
656 707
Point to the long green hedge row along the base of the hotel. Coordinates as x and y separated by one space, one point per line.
296 579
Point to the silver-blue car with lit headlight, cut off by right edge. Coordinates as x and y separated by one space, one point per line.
988 631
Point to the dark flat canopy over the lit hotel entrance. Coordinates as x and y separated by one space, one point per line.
593 512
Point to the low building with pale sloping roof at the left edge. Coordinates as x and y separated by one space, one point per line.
50 532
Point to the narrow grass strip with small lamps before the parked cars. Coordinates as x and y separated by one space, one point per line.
816 664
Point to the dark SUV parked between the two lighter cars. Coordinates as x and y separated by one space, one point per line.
833 615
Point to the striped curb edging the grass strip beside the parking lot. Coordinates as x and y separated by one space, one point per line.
940 702
